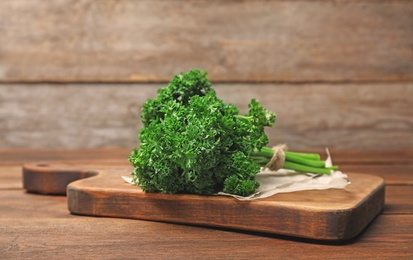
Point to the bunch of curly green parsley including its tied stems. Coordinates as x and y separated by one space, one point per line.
193 142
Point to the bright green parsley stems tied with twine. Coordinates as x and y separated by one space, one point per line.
300 162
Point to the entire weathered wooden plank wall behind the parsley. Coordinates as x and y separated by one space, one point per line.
74 74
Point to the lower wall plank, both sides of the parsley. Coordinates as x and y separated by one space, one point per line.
309 116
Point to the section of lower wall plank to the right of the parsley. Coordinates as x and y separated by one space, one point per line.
341 117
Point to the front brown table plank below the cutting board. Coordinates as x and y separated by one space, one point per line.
34 225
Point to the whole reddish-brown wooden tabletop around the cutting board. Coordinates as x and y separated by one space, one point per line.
37 226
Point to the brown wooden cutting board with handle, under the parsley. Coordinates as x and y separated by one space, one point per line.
334 214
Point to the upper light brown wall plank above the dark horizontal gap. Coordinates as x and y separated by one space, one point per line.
234 40
